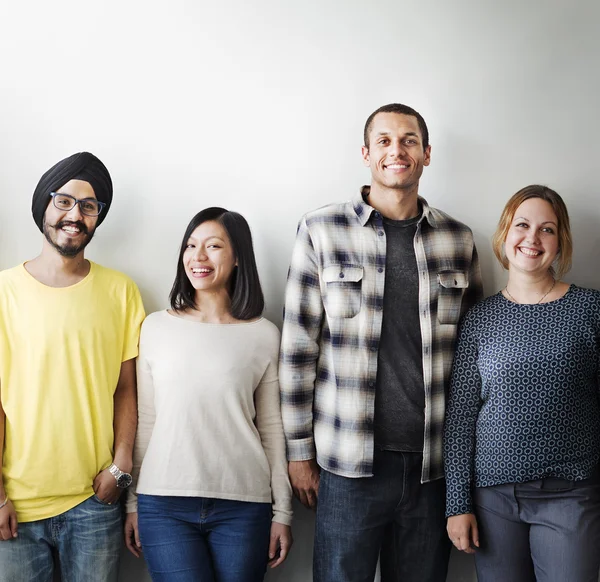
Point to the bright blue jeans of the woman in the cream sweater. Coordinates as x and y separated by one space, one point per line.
198 539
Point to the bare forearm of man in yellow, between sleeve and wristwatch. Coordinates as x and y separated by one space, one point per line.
125 417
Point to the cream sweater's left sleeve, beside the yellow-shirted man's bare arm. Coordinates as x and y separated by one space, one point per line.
146 419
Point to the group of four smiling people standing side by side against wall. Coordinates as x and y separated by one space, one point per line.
410 413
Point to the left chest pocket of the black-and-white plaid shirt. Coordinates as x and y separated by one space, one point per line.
342 290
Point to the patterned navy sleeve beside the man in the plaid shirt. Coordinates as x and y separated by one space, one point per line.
462 411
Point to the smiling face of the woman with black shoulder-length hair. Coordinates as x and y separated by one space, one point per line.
208 258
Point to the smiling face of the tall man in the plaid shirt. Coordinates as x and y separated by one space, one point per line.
395 154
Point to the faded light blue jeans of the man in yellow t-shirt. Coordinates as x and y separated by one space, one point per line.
87 540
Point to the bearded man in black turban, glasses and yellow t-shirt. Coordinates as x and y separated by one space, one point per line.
69 331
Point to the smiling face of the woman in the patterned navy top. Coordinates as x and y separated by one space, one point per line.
531 244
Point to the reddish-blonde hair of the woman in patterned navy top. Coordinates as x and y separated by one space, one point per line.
565 242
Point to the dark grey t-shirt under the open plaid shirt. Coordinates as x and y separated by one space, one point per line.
400 393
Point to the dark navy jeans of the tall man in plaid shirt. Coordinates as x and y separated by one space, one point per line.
390 514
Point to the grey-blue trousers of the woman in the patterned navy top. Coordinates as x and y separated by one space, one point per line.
546 530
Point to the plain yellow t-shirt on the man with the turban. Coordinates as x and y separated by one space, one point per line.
61 351
